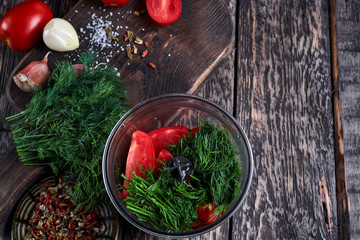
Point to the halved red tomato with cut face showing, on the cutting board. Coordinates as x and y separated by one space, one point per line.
164 12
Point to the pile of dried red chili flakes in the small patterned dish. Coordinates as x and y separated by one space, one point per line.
56 217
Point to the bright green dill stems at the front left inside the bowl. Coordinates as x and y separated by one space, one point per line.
163 202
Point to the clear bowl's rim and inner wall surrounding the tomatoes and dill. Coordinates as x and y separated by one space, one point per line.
170 110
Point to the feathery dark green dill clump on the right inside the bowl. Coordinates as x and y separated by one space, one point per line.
215 164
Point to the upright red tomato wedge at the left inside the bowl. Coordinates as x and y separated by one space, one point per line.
141 154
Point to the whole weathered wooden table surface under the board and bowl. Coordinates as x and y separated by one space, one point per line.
292 80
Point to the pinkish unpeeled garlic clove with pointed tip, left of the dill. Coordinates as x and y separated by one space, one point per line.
35 74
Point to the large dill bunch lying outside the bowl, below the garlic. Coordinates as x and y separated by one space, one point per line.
66 125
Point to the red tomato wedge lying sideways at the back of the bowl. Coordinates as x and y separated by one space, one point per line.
162 137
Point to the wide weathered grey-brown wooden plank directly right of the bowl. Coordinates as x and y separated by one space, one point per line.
284 102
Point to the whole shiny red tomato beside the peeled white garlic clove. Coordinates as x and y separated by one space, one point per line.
22 26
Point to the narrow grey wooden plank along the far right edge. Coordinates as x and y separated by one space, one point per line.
348 49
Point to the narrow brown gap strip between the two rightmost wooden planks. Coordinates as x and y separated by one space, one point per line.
341 191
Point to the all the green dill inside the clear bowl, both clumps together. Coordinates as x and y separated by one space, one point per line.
171 206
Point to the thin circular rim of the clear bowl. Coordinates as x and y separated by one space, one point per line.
151 230
